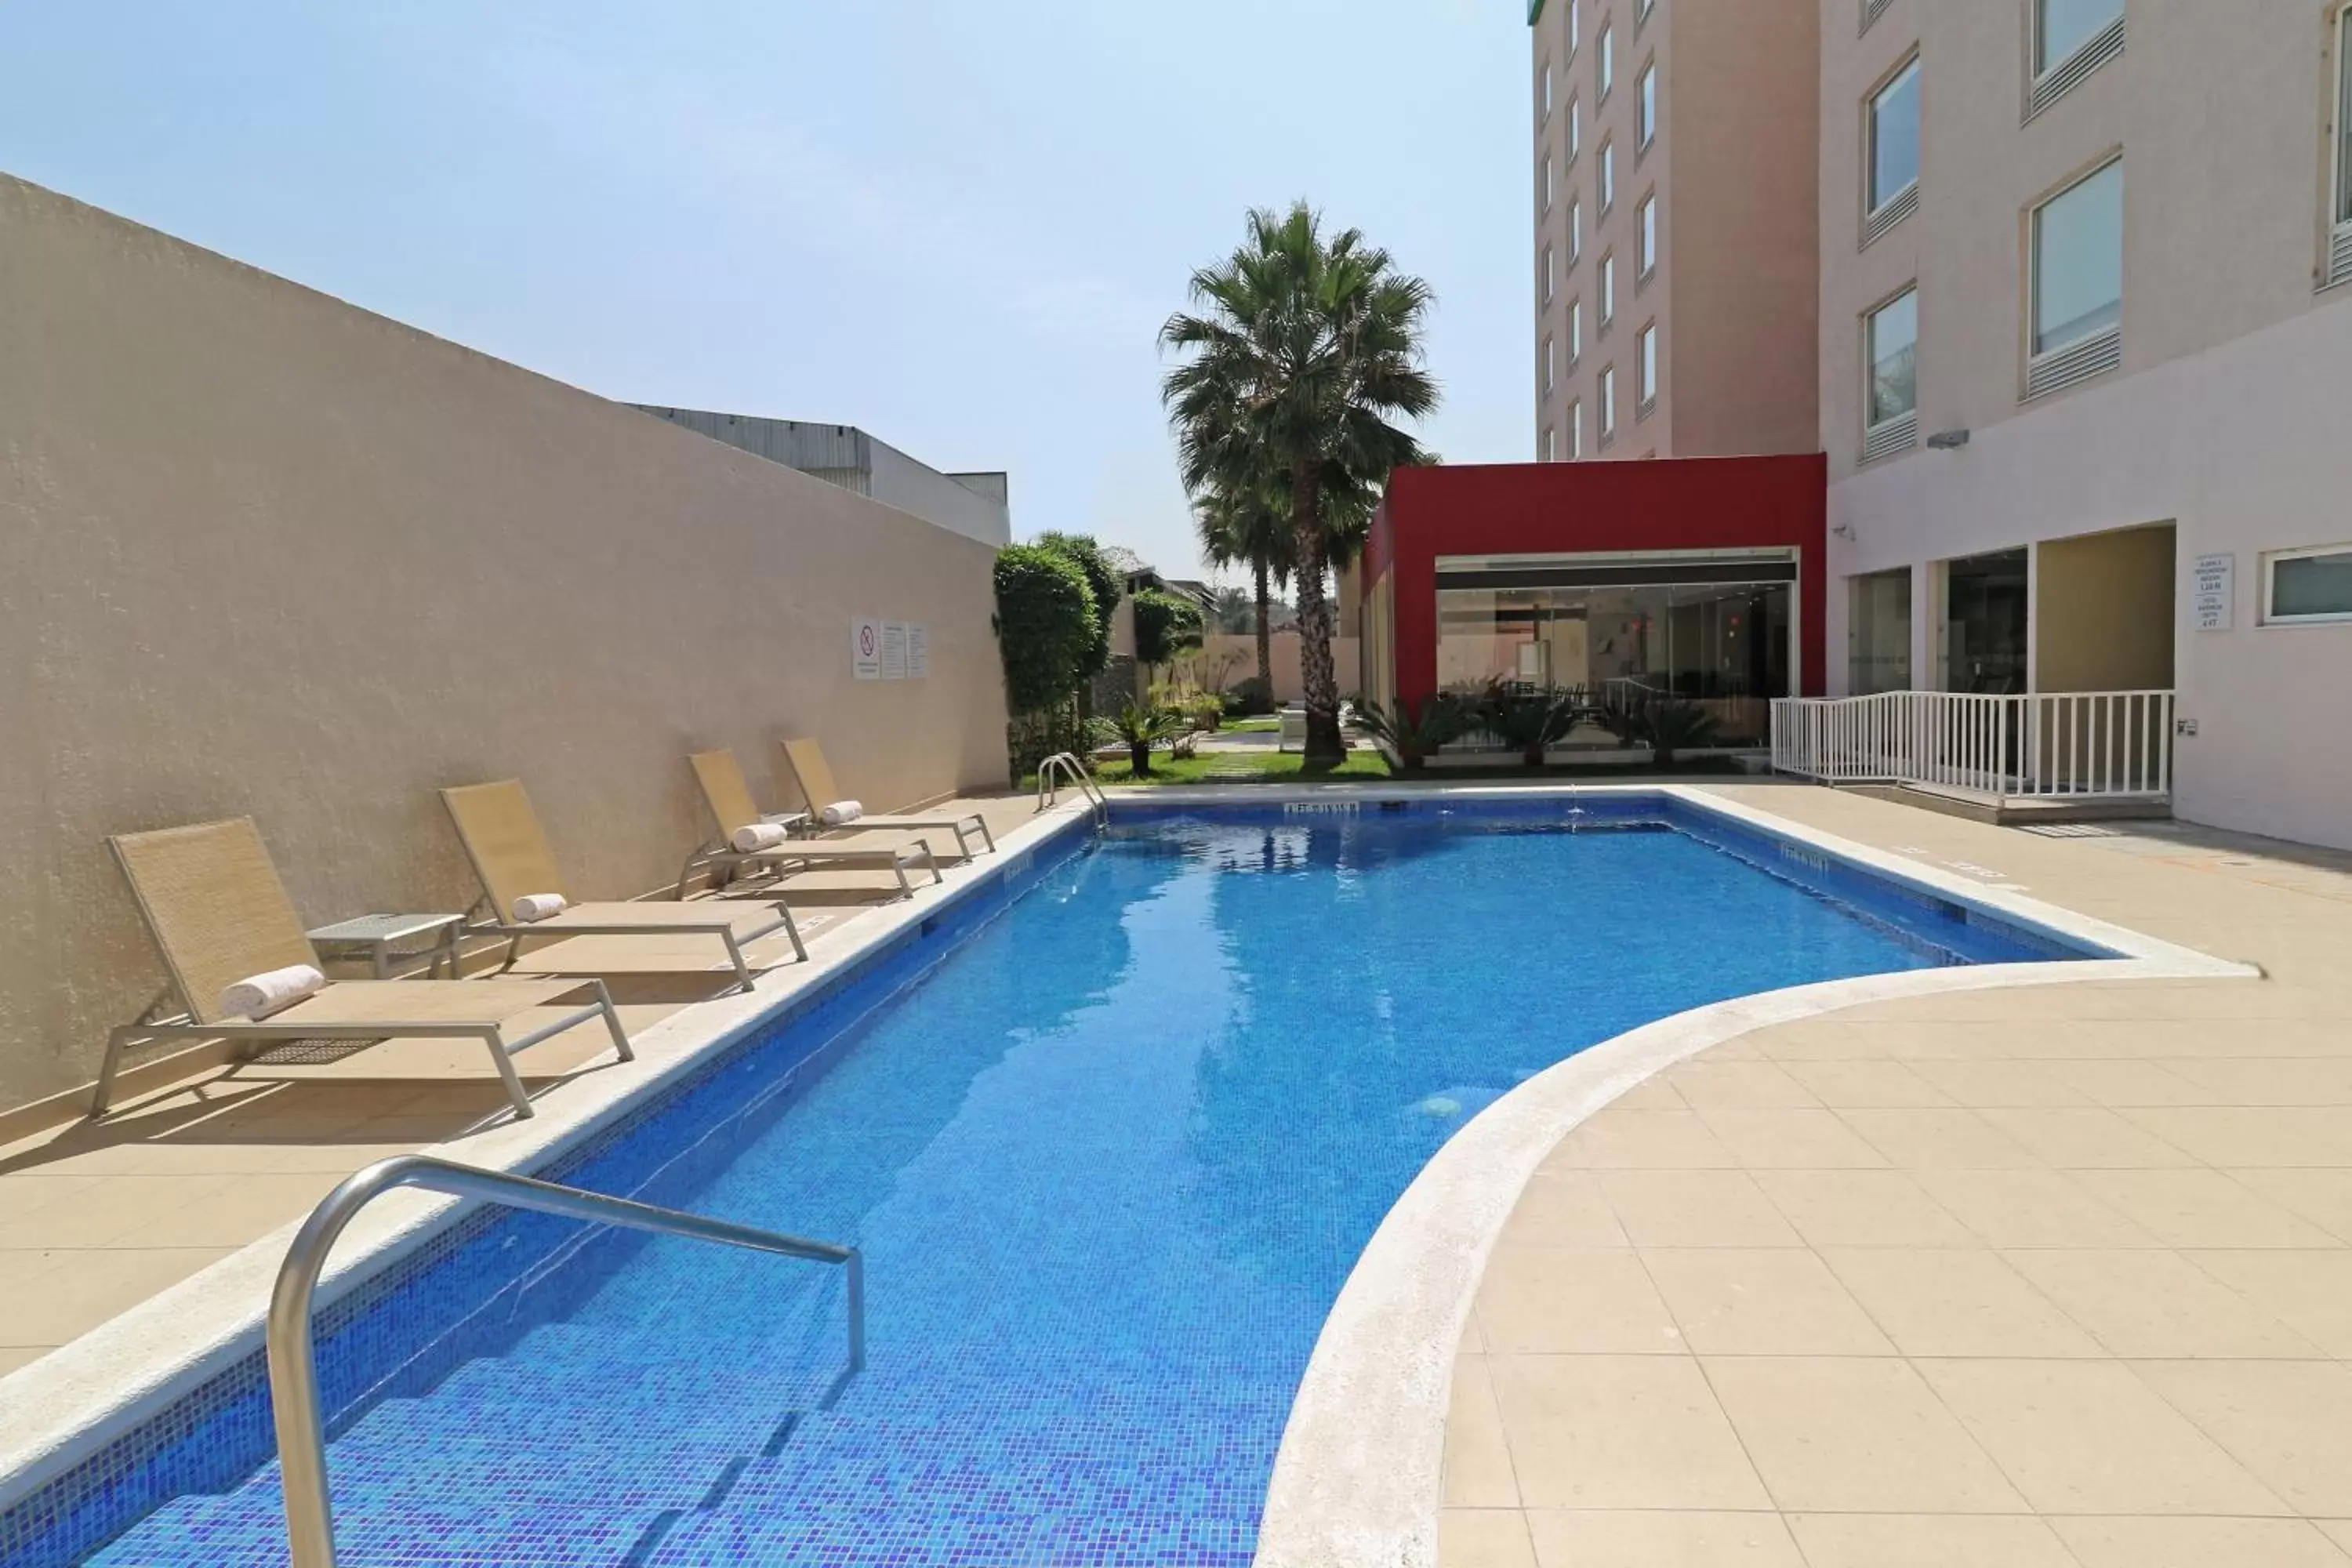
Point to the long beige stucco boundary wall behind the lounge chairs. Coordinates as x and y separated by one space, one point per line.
267 554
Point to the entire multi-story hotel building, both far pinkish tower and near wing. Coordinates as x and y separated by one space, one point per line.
2076 347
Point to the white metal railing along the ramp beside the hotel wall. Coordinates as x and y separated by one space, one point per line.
2012 746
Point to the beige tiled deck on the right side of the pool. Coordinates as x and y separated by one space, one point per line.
2052 1278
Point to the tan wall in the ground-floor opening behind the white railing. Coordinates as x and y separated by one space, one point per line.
2104 612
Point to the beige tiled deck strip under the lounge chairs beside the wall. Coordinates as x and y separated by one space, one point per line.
100 1217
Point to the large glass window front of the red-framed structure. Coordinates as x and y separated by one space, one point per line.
1711 643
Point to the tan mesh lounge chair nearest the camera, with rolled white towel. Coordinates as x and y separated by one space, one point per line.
218 911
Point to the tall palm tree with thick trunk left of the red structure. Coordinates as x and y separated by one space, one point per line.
1302 354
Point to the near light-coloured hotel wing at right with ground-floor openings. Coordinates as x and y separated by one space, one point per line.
2087 370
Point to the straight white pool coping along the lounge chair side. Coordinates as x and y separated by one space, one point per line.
81 1398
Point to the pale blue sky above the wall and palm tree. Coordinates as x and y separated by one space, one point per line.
951 222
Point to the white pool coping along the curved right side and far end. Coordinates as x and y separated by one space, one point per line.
1361 1473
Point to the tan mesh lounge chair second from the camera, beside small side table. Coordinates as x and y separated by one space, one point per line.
514 862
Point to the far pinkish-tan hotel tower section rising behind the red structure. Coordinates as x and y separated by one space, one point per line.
1676 227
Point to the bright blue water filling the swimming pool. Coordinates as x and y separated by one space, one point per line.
1109 1162
